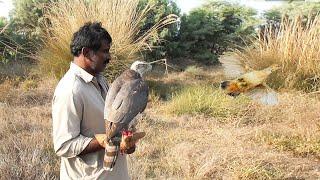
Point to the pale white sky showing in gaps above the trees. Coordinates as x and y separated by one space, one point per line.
185 5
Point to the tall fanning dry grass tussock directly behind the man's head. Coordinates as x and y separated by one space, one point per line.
120 17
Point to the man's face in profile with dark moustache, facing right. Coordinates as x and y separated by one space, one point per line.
100 58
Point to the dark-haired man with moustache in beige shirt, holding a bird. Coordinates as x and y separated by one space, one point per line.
77 109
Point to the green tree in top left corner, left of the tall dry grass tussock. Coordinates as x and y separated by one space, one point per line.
24 31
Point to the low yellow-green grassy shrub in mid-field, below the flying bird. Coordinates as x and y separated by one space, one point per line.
207 101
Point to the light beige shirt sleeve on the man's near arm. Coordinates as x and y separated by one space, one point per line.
67 109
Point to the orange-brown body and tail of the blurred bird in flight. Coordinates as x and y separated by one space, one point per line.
248 81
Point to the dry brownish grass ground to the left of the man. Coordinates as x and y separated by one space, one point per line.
25 131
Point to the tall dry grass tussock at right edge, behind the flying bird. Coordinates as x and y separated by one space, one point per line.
295 47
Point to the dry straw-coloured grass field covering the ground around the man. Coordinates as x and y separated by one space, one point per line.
261 142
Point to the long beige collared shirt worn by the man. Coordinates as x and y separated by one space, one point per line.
77 114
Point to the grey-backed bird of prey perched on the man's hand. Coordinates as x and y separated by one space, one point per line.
126 98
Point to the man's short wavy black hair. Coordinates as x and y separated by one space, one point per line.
90 36
